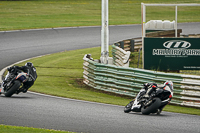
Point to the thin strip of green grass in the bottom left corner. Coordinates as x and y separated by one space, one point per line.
18 129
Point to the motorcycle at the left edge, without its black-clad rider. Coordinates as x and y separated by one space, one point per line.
13 83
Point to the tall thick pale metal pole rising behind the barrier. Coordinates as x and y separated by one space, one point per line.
104 33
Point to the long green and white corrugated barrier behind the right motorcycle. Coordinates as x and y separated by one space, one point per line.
128 81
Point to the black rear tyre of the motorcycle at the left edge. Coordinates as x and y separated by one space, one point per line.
13 88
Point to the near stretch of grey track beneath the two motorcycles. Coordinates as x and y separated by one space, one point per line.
41 111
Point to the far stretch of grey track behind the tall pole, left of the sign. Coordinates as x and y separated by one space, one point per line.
19 45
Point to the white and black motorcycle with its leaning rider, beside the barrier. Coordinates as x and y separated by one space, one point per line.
151 99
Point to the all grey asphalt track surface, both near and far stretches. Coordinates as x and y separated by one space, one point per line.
43 111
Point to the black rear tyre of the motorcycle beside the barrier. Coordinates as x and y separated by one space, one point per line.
156 102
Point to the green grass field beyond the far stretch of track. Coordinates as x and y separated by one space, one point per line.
15 15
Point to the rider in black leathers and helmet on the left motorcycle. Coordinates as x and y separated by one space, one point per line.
30 70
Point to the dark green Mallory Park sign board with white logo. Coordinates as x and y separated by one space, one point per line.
171 53
